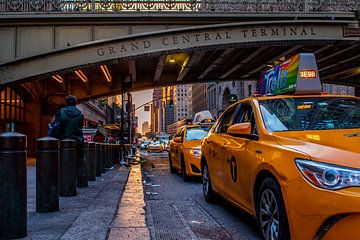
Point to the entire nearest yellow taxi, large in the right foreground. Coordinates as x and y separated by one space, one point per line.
291 161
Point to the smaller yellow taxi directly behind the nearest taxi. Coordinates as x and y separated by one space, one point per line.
185 150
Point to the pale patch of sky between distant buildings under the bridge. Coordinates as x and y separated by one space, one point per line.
140 98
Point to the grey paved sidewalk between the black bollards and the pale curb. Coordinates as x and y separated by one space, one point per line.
85 216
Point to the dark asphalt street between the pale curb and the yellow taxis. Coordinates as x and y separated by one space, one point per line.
178 210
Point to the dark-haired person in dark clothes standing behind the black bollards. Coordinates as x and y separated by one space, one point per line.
71 124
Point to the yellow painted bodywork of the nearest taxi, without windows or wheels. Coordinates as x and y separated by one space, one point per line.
237 165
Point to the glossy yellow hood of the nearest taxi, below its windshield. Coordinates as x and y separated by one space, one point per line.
340 147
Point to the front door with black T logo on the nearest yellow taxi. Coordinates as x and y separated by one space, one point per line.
240 155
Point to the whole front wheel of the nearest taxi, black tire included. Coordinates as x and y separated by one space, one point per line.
271 212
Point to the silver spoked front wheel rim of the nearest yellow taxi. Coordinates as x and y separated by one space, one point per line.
269 215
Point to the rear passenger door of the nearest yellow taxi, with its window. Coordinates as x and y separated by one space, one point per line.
216 147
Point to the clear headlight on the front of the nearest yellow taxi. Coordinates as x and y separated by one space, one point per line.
328 176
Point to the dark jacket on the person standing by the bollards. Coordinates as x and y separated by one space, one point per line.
71 123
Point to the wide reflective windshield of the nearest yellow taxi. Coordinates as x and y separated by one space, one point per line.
298 114
